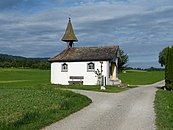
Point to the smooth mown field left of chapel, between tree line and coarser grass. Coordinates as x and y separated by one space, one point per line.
24 78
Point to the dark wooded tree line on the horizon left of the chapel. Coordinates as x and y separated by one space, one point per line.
9 61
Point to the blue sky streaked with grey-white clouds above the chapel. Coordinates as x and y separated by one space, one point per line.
34 28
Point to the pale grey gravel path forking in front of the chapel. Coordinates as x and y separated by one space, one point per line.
128 110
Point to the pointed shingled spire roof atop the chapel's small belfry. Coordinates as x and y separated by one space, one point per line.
69 35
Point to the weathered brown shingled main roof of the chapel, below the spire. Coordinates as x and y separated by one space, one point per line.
87 54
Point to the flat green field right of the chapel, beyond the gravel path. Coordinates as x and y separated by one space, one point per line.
141 77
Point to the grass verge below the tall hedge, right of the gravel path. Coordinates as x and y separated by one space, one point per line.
164 110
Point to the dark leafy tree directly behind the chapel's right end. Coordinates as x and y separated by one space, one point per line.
122 62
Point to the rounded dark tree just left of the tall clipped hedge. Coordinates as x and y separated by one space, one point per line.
162 56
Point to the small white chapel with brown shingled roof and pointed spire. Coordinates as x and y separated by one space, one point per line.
81 65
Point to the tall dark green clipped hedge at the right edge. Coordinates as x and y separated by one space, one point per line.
169 69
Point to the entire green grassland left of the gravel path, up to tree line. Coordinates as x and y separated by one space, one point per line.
30 102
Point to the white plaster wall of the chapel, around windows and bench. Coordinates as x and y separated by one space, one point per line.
77 69
